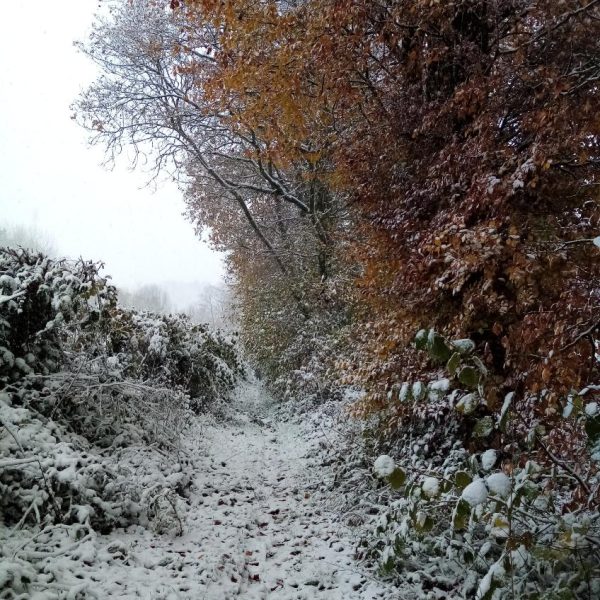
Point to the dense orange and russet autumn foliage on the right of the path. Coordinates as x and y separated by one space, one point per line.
466 135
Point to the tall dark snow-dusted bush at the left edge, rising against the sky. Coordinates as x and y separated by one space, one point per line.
46 308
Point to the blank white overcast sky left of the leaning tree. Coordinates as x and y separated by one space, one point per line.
50 178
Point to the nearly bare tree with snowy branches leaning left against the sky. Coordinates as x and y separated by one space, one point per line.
159 94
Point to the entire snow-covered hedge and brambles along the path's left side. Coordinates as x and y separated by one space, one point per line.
93 400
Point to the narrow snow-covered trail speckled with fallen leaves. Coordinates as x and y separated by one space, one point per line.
256 526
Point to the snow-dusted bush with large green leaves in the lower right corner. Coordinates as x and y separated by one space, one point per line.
479 502
